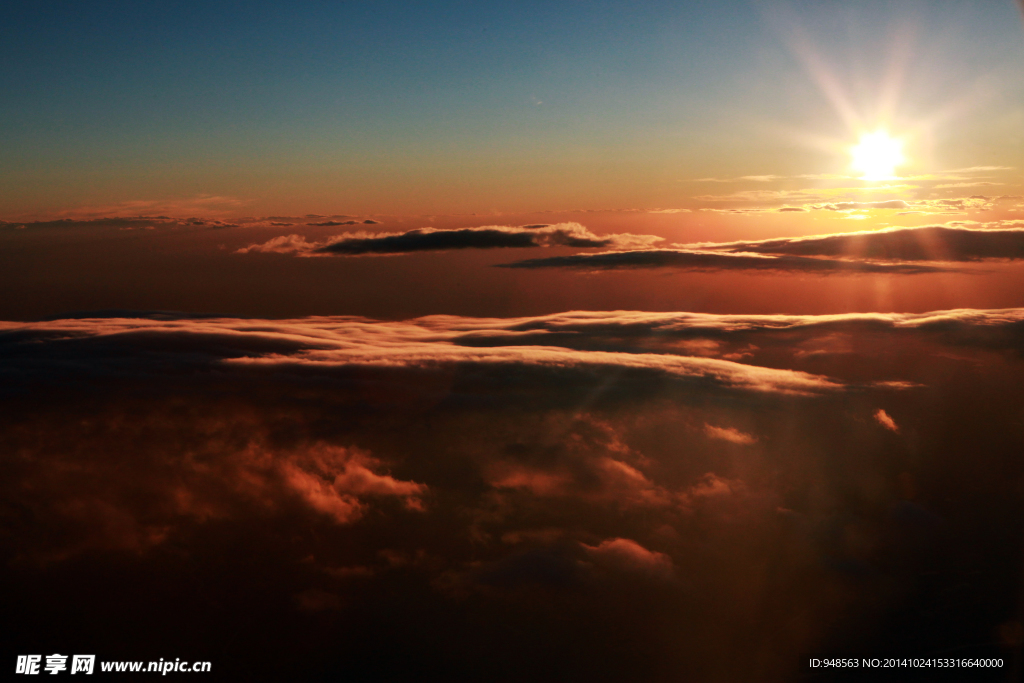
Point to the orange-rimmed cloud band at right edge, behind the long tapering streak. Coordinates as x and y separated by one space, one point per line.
755 339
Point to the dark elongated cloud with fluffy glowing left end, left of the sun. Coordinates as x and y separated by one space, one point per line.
429 239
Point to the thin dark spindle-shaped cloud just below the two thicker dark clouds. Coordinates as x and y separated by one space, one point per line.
707 261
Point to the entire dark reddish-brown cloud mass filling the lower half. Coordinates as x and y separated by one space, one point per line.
587 496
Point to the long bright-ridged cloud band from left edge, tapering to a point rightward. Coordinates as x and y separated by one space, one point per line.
346 347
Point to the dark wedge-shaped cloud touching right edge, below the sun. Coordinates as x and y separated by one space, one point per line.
930 243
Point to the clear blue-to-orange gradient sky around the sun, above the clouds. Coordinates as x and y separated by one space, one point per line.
455 108
